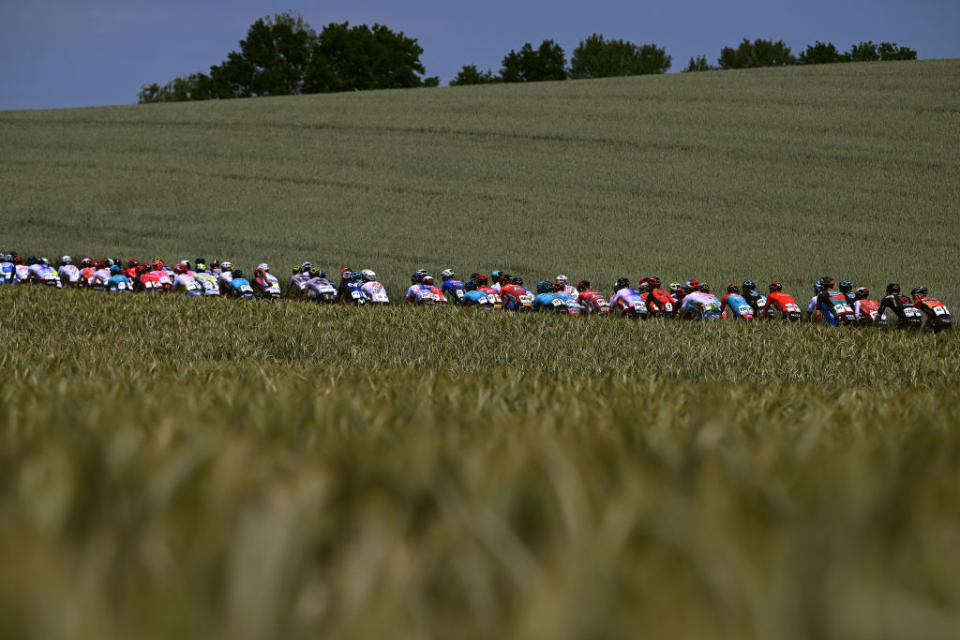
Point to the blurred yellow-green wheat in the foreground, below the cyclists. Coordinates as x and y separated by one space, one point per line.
197 468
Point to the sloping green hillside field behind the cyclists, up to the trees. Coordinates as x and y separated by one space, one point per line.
773 173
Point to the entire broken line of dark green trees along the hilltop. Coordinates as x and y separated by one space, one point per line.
283 55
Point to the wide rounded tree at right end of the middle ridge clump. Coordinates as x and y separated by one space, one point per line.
599 58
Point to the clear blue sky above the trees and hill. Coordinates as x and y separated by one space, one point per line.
58 53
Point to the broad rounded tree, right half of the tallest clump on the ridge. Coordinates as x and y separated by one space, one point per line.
354 58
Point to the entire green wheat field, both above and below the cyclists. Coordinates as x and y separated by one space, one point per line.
174 467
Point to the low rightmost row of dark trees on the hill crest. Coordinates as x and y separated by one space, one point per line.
766 53
